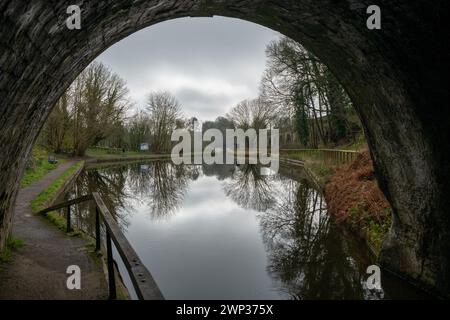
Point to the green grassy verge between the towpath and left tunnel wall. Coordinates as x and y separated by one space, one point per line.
41 167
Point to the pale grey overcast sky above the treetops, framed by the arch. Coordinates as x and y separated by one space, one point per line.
209 64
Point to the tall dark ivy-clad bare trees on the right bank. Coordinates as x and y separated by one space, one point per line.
296 81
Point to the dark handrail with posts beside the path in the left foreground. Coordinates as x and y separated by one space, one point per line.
143 282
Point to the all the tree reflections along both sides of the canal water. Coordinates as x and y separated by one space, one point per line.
308 257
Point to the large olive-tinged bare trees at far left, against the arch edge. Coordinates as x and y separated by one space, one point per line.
91 110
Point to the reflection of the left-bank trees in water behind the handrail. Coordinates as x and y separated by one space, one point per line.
161 185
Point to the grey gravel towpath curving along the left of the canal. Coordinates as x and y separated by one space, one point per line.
38 270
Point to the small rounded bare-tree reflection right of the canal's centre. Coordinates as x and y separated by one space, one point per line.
249 189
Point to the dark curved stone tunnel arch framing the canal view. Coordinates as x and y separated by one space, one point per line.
395 77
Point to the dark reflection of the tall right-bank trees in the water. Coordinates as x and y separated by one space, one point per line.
307 254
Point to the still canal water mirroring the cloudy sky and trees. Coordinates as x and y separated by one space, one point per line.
228 232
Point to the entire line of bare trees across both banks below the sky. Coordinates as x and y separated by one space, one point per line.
298 95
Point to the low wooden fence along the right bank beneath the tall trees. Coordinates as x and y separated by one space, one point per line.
327 155
